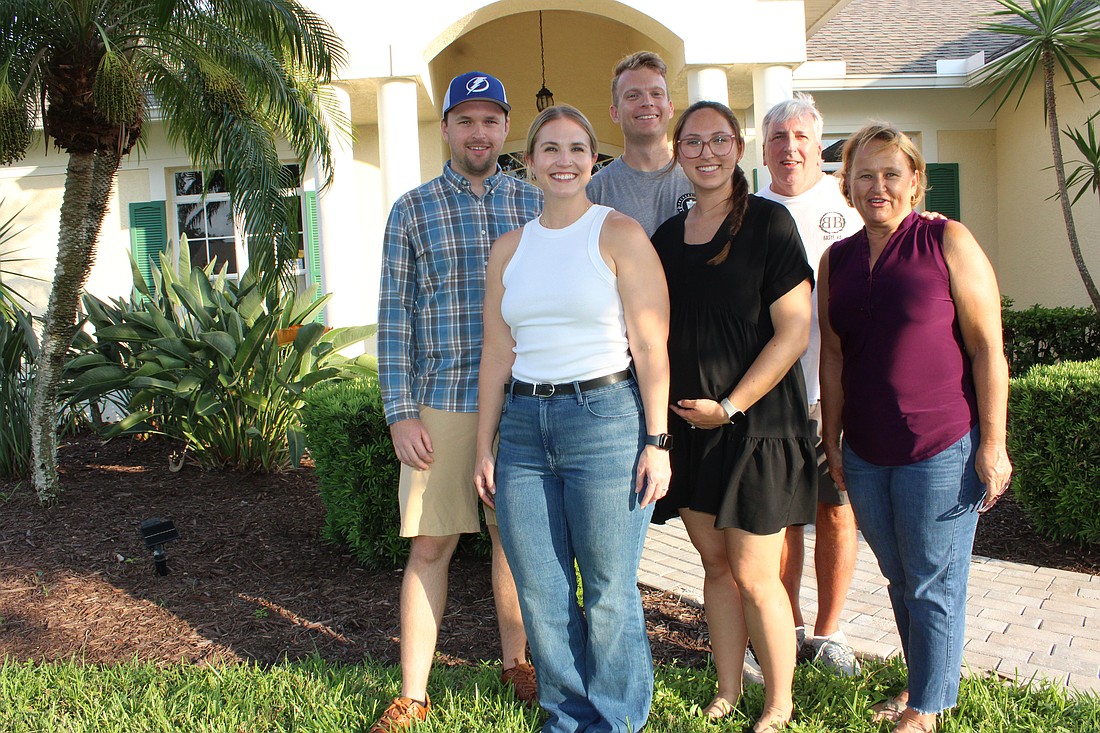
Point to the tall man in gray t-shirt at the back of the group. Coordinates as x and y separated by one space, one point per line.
641 183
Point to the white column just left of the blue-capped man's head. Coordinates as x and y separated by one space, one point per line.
399 139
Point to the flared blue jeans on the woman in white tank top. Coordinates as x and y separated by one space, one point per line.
565 475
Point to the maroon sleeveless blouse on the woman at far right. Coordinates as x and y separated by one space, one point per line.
908 388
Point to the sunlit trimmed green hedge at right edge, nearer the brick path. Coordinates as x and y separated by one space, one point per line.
1054 423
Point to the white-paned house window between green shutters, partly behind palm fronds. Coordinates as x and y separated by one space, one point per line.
204 212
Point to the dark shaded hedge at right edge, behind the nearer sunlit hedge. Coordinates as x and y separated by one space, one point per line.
1049 336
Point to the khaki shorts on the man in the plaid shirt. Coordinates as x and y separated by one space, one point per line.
443 500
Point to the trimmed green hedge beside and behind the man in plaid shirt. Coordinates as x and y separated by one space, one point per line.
349 441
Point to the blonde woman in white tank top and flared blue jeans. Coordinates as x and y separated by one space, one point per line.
571 301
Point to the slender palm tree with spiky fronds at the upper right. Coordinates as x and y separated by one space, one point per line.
1049 35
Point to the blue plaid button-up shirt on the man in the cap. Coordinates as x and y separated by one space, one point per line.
433 290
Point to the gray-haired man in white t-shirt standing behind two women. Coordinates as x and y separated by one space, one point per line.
793 152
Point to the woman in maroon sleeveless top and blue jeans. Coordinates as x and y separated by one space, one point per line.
914 373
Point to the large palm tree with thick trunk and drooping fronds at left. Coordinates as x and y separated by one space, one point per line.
229 80
